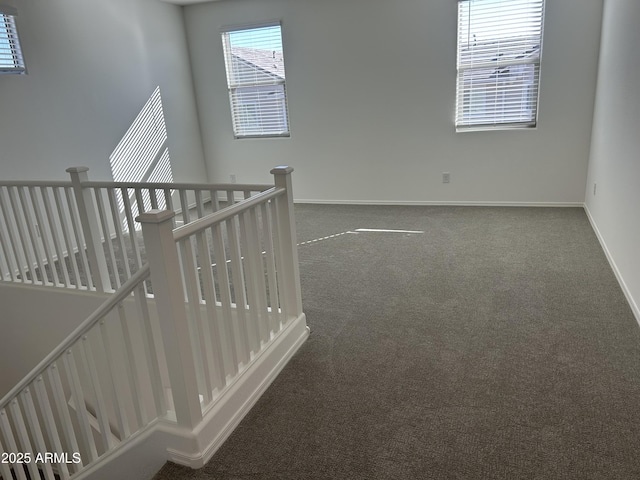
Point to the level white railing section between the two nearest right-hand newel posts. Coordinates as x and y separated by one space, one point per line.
240 280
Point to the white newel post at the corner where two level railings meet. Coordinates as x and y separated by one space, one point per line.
288 242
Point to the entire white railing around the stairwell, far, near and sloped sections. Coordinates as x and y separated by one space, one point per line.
217 306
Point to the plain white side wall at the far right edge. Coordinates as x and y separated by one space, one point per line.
615 160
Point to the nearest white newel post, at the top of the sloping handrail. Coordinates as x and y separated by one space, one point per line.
157 229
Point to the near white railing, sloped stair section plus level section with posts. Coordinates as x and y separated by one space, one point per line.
225 289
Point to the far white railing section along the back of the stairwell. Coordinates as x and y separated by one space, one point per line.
83 234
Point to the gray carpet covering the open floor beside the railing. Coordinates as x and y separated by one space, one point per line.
495 345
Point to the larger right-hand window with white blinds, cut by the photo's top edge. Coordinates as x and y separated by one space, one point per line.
499 48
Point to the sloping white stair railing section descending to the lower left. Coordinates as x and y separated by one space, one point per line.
93 392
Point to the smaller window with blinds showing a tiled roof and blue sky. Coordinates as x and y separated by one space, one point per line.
256 80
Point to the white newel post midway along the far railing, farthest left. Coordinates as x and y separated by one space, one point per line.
88 212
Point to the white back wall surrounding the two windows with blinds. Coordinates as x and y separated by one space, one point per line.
371 95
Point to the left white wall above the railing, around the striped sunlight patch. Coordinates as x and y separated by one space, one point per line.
92 66
